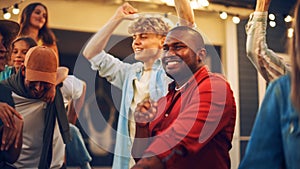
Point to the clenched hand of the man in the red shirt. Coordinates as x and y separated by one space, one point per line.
145 112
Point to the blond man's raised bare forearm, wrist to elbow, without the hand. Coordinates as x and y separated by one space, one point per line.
98 42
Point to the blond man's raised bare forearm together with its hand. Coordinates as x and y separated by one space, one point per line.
98 42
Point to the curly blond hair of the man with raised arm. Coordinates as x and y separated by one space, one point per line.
149 25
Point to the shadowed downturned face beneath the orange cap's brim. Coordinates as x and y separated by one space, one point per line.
37 89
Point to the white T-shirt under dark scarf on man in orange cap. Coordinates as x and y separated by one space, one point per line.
33 112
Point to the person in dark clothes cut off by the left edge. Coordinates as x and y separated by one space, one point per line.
11 122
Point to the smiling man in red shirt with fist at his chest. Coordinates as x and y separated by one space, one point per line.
192 127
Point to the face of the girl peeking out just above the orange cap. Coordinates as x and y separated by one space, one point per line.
19 51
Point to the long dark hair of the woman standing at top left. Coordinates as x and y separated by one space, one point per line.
45 33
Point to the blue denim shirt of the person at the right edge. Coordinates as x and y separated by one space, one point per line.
275 137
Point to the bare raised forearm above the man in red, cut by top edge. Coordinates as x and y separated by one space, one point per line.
185 13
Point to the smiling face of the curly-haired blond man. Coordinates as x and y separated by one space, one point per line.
147 46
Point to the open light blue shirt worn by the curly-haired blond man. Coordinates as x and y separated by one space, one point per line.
122 75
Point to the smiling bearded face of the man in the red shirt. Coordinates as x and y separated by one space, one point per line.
179 60
